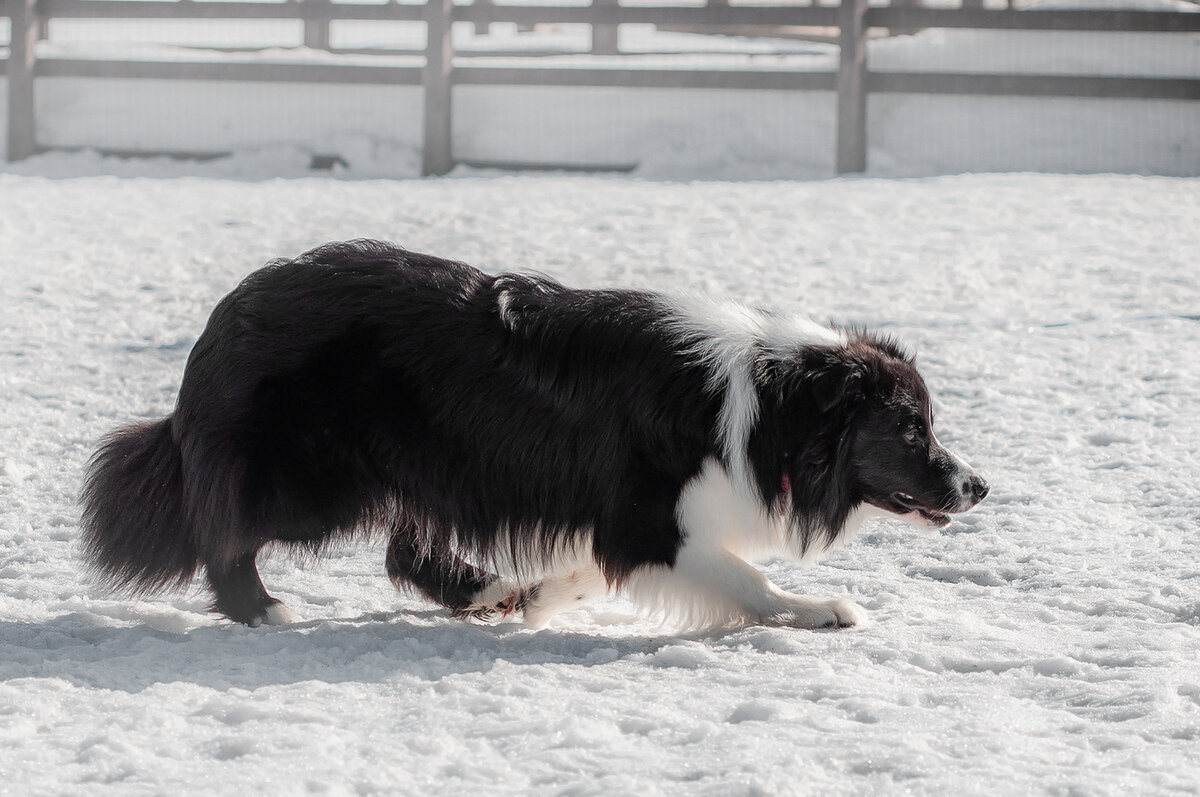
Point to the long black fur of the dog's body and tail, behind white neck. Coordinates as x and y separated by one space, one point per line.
359 380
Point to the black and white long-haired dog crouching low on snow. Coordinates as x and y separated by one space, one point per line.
524 446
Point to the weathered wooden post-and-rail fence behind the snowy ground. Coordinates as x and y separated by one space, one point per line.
853 81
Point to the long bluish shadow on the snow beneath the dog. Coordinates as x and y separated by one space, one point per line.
85 651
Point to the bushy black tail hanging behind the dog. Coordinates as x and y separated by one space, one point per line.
135 534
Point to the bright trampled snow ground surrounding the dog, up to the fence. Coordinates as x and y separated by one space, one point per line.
1046 643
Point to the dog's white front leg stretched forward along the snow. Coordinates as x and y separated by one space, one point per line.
711 586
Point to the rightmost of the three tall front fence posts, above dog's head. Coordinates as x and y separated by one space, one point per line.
853 87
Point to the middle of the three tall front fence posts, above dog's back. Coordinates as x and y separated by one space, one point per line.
437 77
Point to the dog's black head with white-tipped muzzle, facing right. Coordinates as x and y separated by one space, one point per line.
892 457
